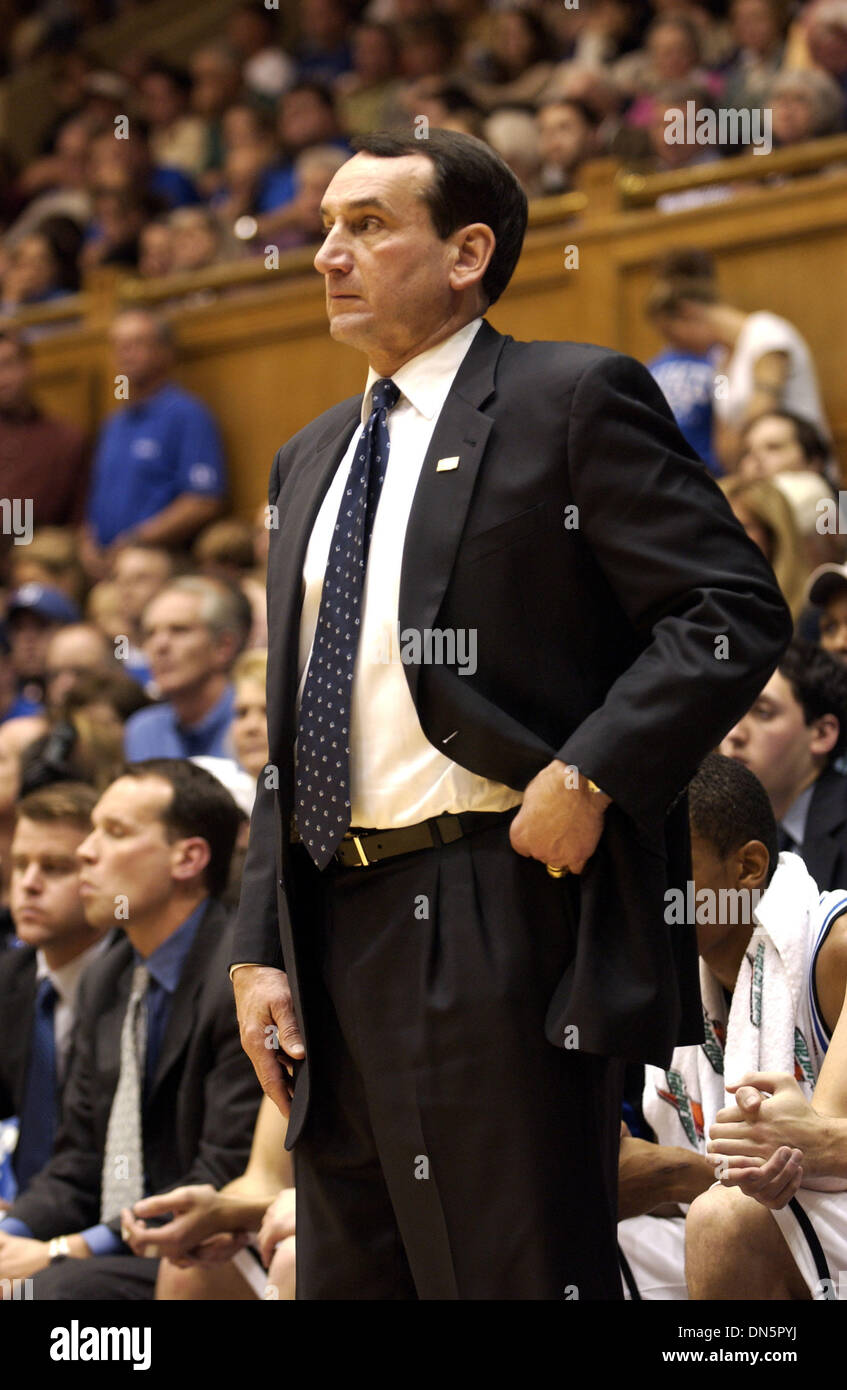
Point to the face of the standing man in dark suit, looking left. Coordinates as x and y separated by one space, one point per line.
386 270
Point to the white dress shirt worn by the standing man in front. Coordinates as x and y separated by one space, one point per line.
397 776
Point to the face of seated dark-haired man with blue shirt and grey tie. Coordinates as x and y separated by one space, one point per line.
127 861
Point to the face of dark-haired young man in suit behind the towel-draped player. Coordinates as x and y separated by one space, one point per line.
775 742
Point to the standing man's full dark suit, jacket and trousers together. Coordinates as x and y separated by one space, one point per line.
475 1045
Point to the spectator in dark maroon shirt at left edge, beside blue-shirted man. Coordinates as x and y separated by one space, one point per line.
44 459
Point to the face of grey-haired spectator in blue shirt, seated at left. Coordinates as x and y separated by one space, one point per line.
180 647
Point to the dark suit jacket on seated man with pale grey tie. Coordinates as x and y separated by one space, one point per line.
198 1122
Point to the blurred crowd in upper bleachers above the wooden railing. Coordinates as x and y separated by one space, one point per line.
159 166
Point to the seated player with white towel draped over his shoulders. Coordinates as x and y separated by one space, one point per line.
774 972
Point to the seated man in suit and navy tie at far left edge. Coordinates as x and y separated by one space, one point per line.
40 982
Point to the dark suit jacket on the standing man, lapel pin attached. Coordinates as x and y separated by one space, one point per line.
599 644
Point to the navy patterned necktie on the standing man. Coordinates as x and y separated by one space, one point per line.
323 778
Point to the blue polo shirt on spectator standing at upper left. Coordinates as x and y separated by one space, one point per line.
151 454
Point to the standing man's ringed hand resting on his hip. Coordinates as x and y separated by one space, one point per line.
560 821
